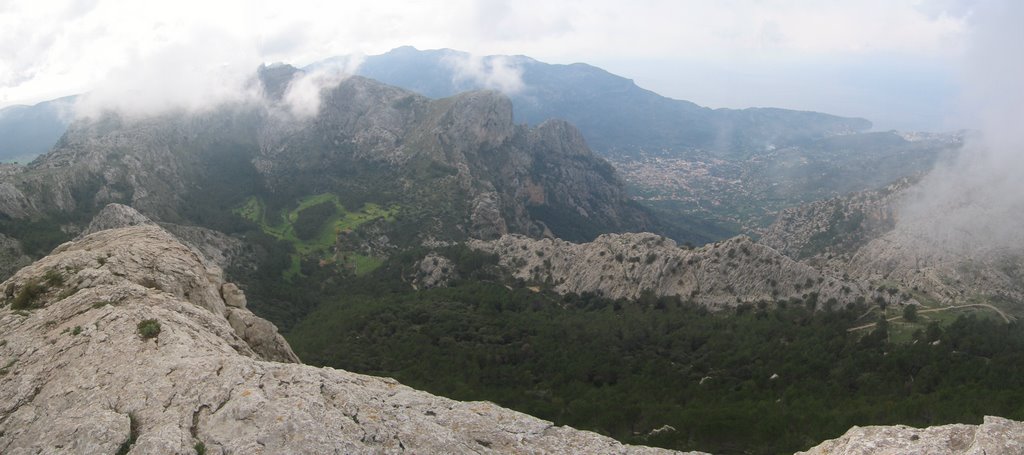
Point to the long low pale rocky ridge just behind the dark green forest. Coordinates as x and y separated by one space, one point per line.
720 275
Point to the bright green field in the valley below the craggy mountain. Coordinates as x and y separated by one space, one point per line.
283 227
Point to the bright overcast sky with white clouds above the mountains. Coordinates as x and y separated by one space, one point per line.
895 62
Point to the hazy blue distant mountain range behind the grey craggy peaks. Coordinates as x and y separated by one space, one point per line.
615 115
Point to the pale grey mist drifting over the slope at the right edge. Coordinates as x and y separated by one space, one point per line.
975 202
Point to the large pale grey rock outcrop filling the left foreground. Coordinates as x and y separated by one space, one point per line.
124 340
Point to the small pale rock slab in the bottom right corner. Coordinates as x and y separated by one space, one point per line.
995 437
